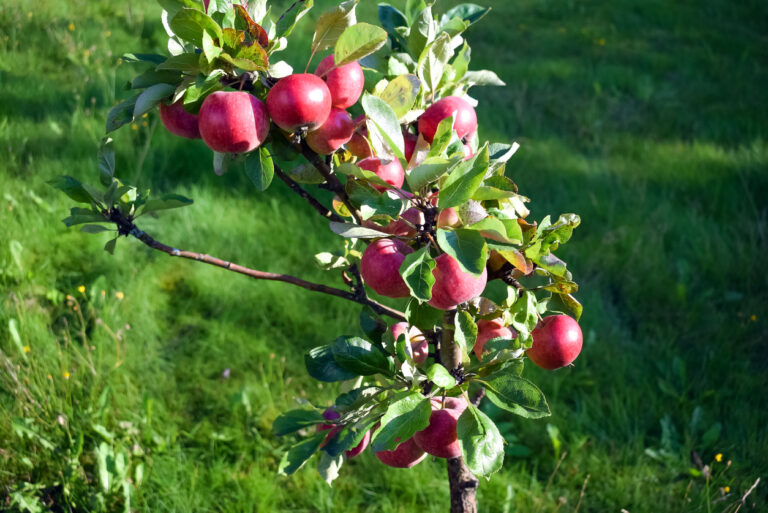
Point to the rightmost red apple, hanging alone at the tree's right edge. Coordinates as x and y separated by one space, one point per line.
557 341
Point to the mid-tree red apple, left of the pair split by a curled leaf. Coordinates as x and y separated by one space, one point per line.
380 267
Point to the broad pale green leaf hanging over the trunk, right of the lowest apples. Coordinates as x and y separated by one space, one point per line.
480 442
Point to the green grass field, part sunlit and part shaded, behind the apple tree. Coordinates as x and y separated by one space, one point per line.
647 118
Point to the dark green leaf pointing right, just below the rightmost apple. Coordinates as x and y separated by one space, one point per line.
517 395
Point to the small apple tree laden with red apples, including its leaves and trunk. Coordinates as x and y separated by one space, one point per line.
425 210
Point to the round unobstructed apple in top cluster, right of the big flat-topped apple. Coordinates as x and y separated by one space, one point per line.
301 100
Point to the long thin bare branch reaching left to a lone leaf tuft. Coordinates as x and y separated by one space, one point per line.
126 227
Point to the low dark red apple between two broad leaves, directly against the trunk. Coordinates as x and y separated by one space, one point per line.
440 438
